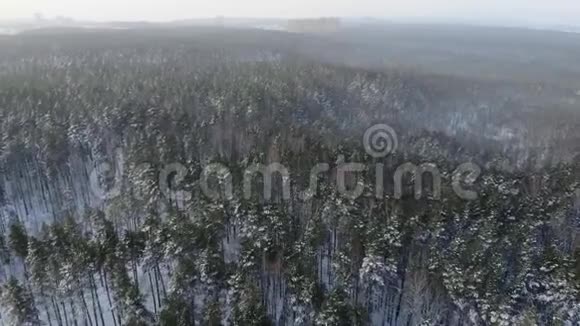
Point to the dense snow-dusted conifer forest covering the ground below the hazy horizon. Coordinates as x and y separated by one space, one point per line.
123 105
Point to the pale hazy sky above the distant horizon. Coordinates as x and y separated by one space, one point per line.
518 11
